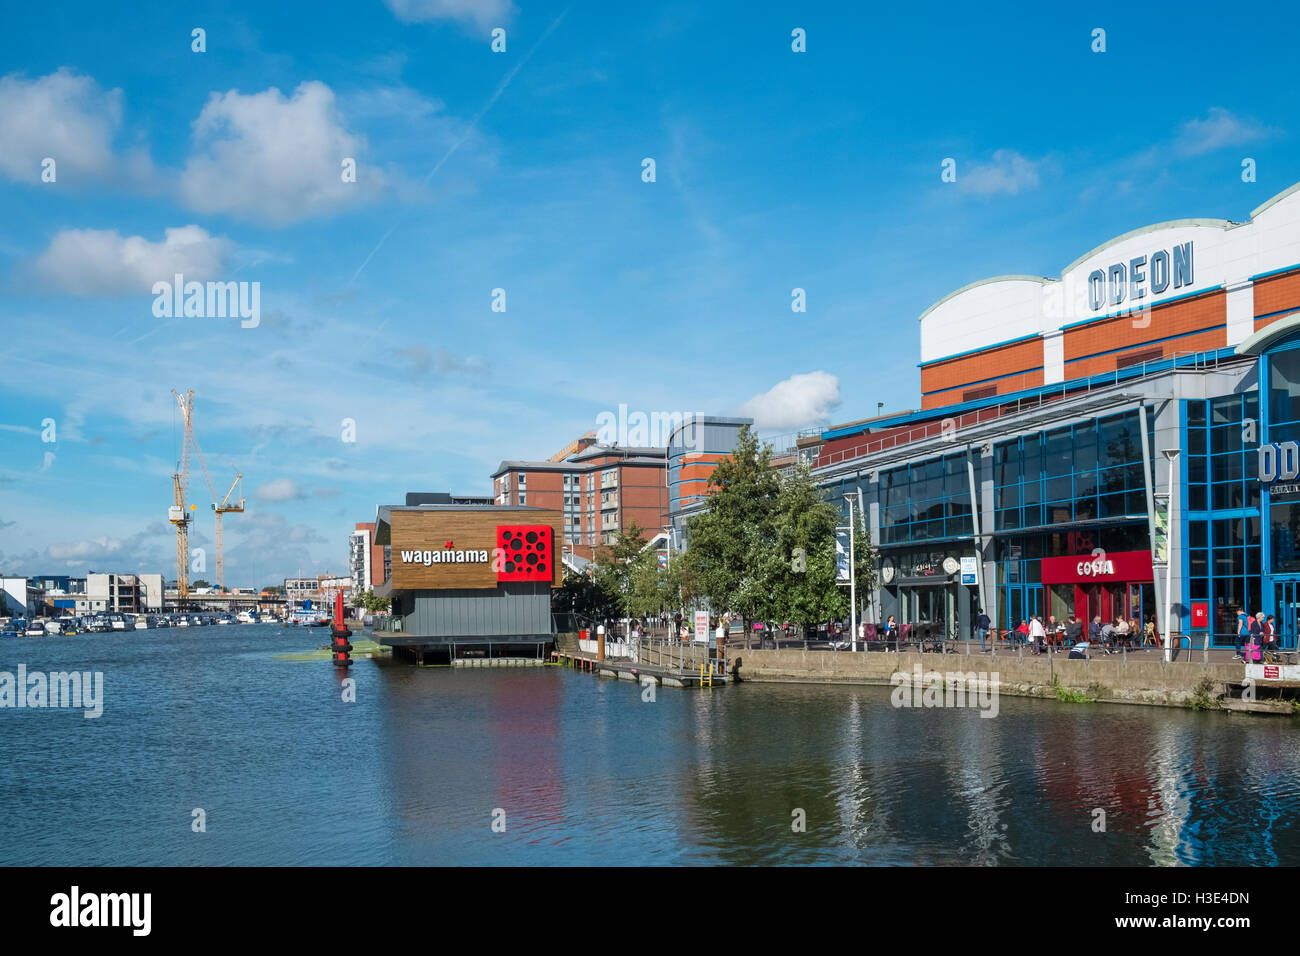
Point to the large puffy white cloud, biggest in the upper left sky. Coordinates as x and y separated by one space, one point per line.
272 159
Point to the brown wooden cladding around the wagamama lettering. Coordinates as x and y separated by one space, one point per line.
471 535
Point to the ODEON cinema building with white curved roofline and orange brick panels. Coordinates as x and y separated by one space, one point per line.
1084 440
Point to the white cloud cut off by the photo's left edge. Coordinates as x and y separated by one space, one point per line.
64 116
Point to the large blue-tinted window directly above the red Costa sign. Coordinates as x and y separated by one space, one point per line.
1073 474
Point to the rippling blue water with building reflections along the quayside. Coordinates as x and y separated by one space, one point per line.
590 775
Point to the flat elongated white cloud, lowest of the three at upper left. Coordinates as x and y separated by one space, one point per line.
102 262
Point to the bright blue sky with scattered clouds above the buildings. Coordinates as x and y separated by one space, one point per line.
523 171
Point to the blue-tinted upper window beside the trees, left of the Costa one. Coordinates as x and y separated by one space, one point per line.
926 501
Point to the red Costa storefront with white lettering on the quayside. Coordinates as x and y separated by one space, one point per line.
1100 585
